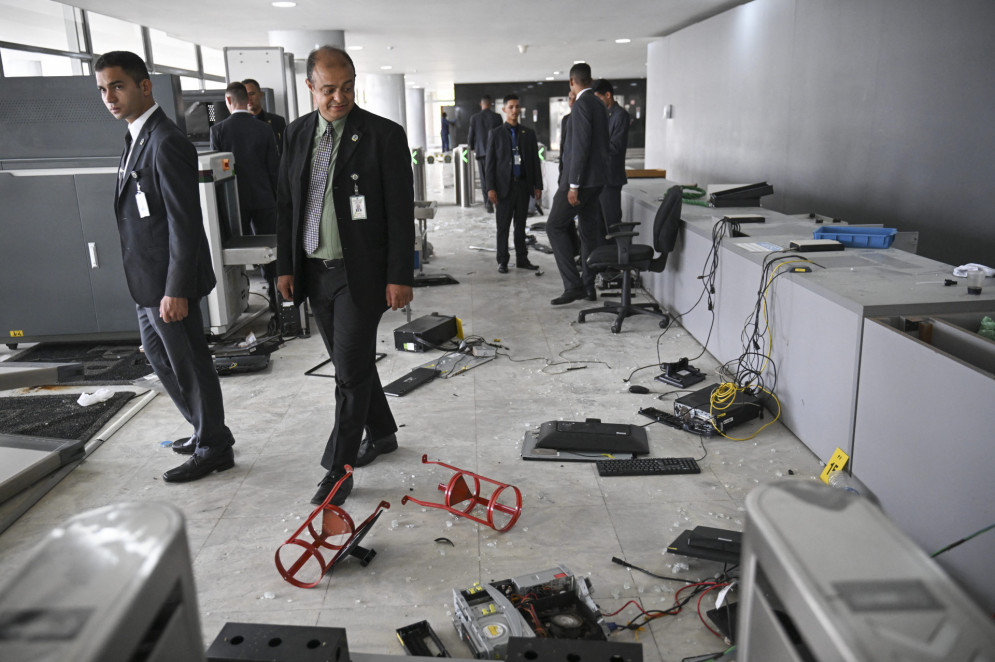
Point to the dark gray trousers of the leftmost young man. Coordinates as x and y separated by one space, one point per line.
181 359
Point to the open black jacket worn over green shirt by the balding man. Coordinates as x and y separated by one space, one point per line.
378 250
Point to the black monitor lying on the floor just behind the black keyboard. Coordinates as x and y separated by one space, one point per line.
584 441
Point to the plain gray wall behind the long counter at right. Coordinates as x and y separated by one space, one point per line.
873 111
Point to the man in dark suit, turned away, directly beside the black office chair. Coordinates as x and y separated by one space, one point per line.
585 163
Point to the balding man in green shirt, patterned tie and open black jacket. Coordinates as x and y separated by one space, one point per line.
345 237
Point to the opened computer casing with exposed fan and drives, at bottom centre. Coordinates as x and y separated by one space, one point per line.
552 603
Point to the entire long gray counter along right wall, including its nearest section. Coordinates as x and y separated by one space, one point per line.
915 418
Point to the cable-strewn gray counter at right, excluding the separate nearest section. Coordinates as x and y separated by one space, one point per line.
816 318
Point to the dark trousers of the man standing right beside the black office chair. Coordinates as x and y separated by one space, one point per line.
589 227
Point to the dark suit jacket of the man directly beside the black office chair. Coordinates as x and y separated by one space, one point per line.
585 148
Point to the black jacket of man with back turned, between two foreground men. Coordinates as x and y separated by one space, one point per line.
257 162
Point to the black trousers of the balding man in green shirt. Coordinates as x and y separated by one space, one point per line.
350 335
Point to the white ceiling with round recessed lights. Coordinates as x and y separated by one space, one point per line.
438 42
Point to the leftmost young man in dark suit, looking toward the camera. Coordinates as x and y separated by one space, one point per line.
166 259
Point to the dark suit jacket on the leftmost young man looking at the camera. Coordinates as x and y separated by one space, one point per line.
165 253
